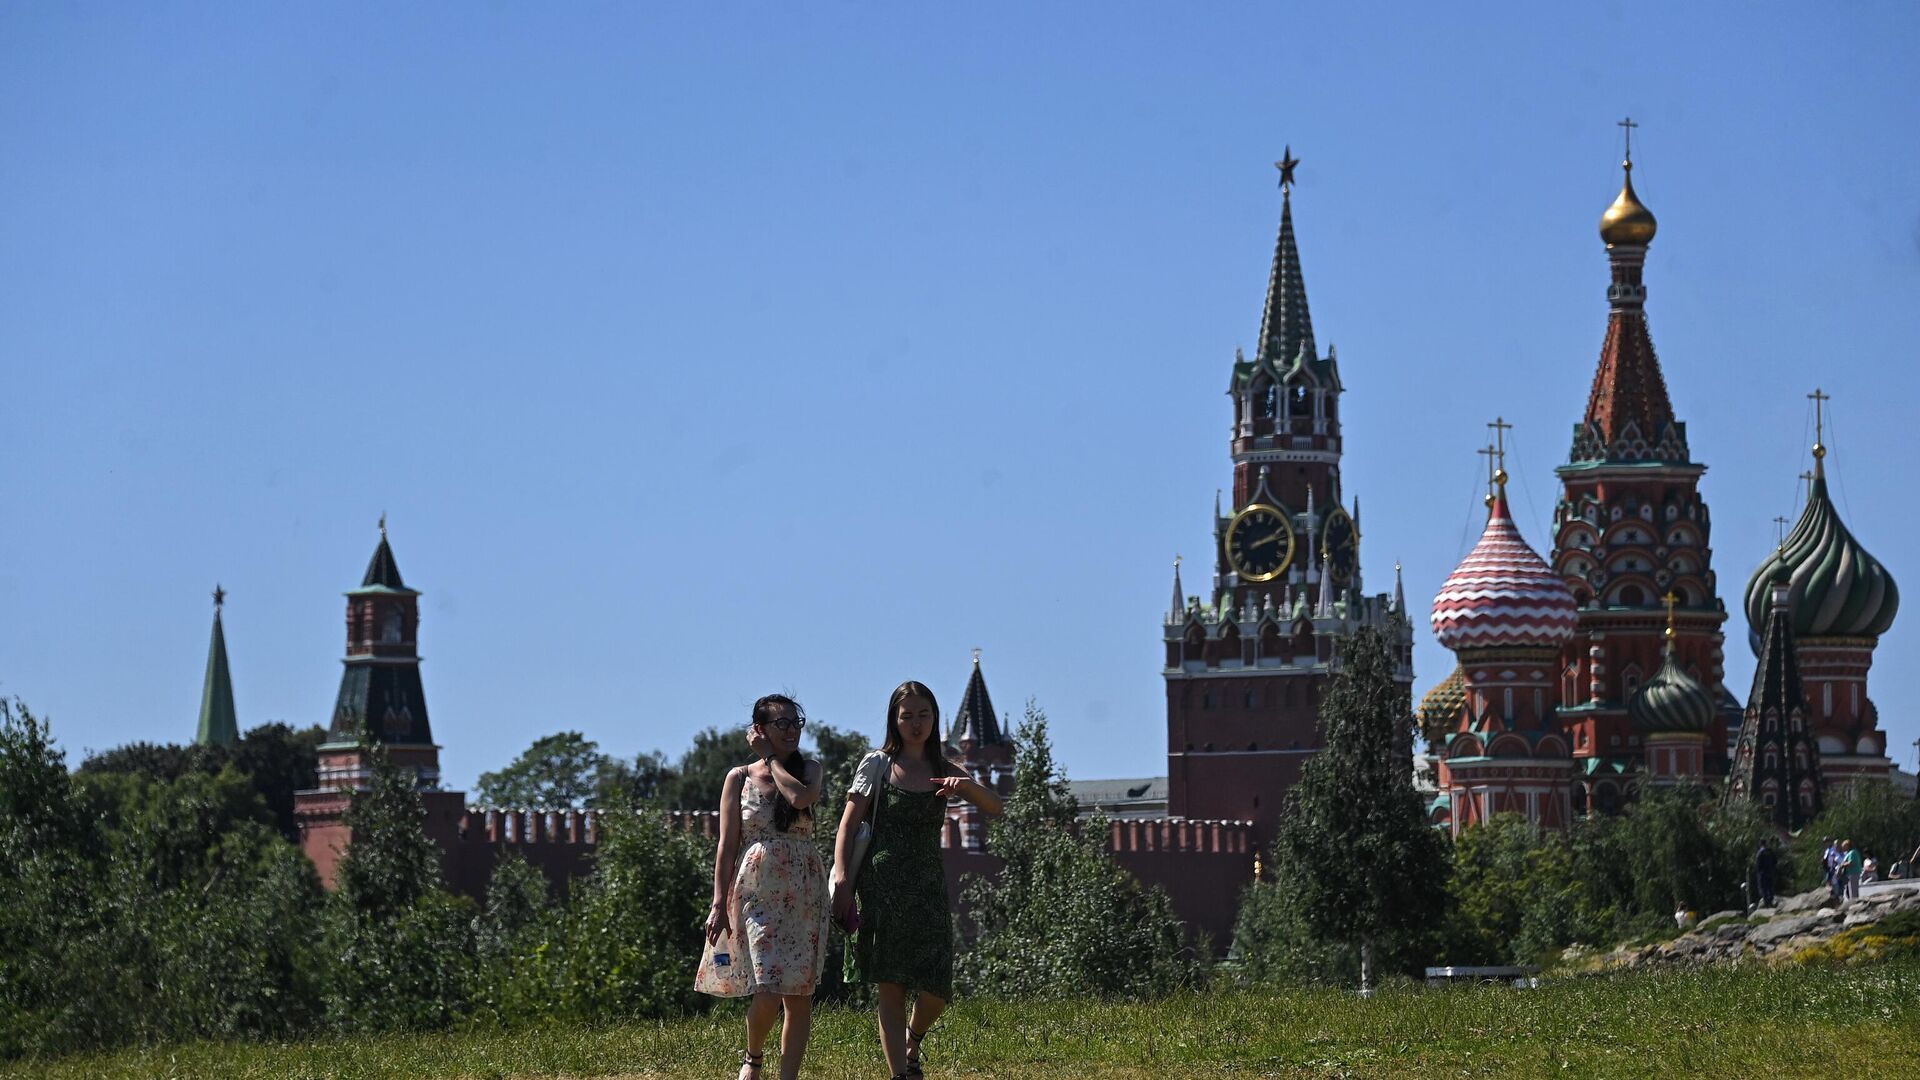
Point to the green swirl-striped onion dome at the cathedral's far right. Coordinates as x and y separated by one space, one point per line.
1838 589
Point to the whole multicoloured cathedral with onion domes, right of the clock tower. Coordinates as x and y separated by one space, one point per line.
1602 668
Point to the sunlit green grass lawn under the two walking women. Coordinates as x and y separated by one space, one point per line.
1796 1021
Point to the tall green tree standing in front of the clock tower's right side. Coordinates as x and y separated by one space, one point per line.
1355 848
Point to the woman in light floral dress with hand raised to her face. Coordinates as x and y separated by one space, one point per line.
767 929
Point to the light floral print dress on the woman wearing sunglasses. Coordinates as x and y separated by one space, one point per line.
779 908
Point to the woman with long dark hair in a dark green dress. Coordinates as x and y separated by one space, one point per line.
905 929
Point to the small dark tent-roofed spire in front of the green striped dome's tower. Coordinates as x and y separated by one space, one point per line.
1777 762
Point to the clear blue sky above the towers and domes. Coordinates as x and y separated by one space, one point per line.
700 351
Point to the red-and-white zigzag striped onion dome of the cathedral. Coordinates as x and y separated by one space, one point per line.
1502 595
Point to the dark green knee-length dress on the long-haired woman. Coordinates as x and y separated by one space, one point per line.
905 927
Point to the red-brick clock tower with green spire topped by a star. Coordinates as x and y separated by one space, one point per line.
1247 662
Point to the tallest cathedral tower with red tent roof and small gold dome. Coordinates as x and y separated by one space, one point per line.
1631 528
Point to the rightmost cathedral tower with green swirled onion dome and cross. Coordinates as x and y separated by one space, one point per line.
1842 601
